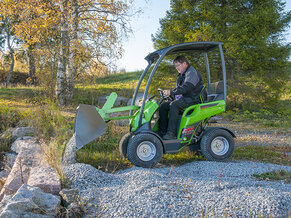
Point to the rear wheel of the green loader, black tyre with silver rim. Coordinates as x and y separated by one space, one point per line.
217 144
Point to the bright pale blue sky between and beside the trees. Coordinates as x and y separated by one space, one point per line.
140 44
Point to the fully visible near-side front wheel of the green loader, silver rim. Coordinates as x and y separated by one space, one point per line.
144 150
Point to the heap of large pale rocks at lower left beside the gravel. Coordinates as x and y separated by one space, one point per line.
31 188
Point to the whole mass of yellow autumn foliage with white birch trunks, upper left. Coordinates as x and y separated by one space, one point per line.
66 37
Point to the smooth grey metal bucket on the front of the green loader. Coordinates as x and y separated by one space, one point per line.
89 125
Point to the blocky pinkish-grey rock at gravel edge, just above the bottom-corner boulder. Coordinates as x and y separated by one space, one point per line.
45 178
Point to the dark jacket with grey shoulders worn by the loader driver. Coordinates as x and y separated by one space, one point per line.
189 85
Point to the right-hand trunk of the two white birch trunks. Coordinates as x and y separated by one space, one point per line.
72 65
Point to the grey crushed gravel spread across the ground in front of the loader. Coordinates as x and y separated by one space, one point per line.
196 189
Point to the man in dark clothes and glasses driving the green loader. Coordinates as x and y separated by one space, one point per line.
186 93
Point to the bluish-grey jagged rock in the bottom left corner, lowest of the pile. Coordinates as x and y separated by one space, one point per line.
31 201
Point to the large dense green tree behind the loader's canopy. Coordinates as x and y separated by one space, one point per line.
252 32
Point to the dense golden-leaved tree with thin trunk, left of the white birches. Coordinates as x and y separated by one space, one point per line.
31 22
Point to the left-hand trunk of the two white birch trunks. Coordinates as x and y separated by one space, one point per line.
61 73
